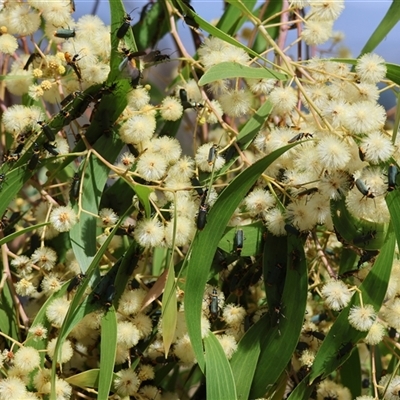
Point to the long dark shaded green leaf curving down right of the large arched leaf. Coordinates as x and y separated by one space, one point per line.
279 342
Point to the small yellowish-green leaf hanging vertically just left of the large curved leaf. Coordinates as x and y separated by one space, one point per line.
169 311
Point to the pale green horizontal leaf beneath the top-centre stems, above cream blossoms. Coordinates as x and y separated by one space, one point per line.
227 70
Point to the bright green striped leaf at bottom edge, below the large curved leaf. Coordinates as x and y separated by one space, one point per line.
220 382
